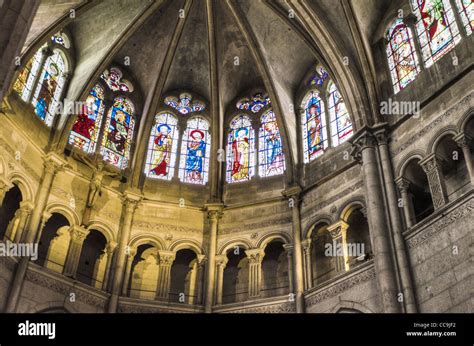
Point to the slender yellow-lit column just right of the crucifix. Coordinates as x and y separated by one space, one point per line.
130 203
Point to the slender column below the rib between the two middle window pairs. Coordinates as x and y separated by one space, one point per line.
214 211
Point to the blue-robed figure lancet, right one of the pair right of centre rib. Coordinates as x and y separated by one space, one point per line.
271 160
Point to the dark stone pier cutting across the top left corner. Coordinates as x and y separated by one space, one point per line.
16 17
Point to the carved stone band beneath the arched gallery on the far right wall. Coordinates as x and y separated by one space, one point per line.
442 224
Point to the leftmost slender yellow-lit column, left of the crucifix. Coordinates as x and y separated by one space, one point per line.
52 164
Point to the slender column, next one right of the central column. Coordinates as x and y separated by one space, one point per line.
293 195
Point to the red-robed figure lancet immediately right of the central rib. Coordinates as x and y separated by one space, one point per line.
240 150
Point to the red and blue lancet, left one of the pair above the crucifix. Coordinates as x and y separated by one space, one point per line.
85 131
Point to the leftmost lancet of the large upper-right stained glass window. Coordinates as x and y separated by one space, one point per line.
402 58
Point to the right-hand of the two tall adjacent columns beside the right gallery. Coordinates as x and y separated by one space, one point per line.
397 227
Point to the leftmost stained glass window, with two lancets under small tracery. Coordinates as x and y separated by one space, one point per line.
42 80
